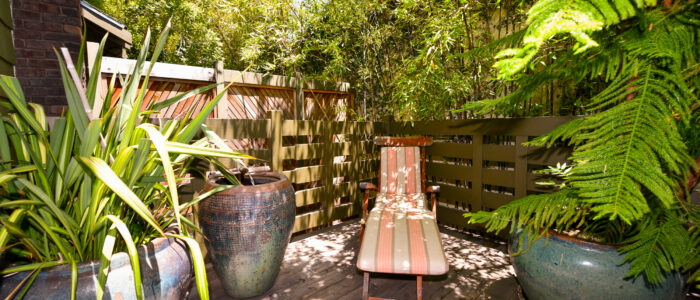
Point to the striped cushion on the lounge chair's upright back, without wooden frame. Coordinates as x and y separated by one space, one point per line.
400 170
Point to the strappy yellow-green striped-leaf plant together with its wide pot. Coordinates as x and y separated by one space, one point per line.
102 180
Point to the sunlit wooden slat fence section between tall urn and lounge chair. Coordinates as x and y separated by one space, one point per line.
339 156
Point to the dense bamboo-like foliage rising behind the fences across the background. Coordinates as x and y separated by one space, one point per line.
402 58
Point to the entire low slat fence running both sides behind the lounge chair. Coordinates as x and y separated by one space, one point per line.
479 164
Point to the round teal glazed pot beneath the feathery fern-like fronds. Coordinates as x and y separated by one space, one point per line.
569 268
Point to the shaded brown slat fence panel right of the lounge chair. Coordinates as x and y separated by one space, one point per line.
482 164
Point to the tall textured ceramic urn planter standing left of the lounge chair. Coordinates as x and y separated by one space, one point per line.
247 229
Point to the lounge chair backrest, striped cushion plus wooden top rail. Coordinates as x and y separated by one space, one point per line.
402 164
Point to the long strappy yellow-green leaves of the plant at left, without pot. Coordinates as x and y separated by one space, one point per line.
102 170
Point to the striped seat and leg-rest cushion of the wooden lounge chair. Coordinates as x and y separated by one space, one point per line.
401 236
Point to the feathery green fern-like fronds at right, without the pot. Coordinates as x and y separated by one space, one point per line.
632 149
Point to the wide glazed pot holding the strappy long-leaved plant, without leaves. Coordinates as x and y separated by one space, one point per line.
166 273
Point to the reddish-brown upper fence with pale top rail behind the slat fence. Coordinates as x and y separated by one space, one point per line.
251 96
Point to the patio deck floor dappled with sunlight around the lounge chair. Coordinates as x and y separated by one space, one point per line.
321 265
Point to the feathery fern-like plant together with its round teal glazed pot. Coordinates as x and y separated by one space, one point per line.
625 196
